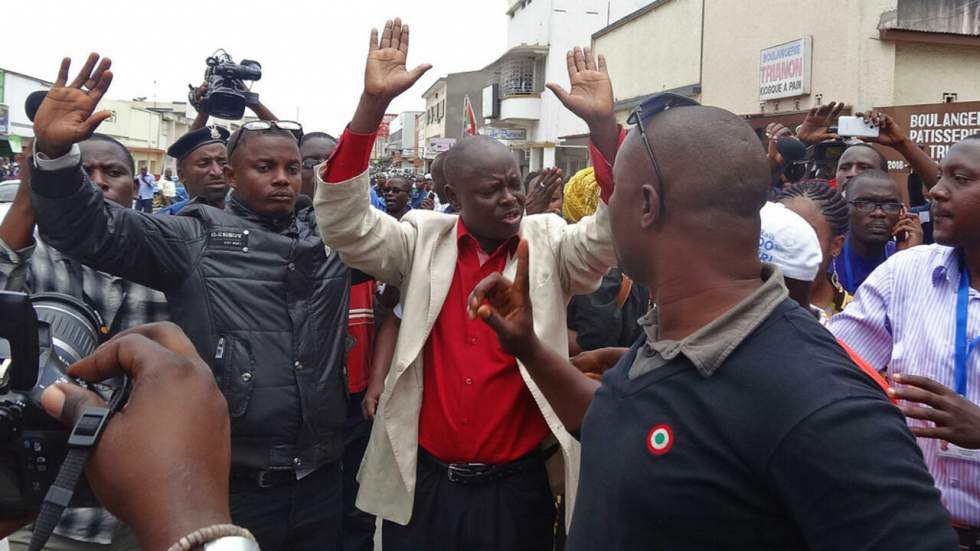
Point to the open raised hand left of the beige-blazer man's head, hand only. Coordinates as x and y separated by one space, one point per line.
385 74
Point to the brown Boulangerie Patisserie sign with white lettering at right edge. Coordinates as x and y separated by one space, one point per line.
935 127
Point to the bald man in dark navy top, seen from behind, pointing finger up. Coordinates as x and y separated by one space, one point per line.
736 421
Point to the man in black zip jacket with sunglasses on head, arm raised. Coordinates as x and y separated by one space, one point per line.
261 298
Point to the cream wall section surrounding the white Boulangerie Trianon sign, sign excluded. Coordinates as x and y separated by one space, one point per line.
850 63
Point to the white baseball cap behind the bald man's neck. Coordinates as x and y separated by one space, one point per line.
788 241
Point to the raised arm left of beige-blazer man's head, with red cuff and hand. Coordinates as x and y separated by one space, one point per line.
367 239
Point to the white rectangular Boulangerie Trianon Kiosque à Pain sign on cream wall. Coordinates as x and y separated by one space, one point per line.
784 70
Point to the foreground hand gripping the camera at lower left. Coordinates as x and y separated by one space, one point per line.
162 464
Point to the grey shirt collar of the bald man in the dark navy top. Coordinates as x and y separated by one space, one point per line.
708 347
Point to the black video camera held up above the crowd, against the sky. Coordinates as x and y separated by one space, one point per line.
227 96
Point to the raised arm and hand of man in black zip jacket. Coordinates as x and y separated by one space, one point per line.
71 213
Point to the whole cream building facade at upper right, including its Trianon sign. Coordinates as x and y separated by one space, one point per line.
738 55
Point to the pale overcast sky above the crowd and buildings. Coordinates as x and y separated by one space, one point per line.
312 52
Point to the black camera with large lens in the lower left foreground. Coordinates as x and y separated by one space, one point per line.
40 336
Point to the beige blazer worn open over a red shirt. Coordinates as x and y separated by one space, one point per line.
418 255
